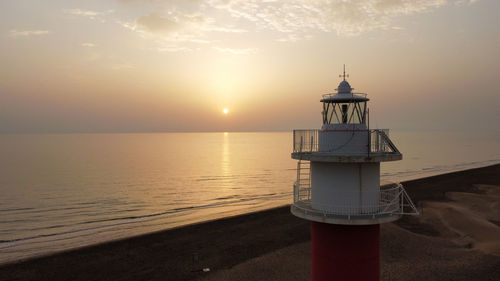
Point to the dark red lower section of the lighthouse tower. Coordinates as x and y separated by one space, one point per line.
345 252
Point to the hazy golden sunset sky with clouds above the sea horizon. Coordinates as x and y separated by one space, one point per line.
126 66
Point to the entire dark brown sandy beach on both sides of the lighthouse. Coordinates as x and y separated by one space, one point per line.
457 237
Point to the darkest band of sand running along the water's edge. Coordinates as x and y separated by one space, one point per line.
181 252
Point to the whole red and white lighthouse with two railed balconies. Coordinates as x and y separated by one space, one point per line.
338 188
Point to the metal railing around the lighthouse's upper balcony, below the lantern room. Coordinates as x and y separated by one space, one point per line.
307 141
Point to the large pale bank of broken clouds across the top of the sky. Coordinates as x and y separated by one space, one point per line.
197 21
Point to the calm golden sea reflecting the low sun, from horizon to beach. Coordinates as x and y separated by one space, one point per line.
65 191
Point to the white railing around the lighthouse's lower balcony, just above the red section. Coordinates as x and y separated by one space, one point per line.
393 200
